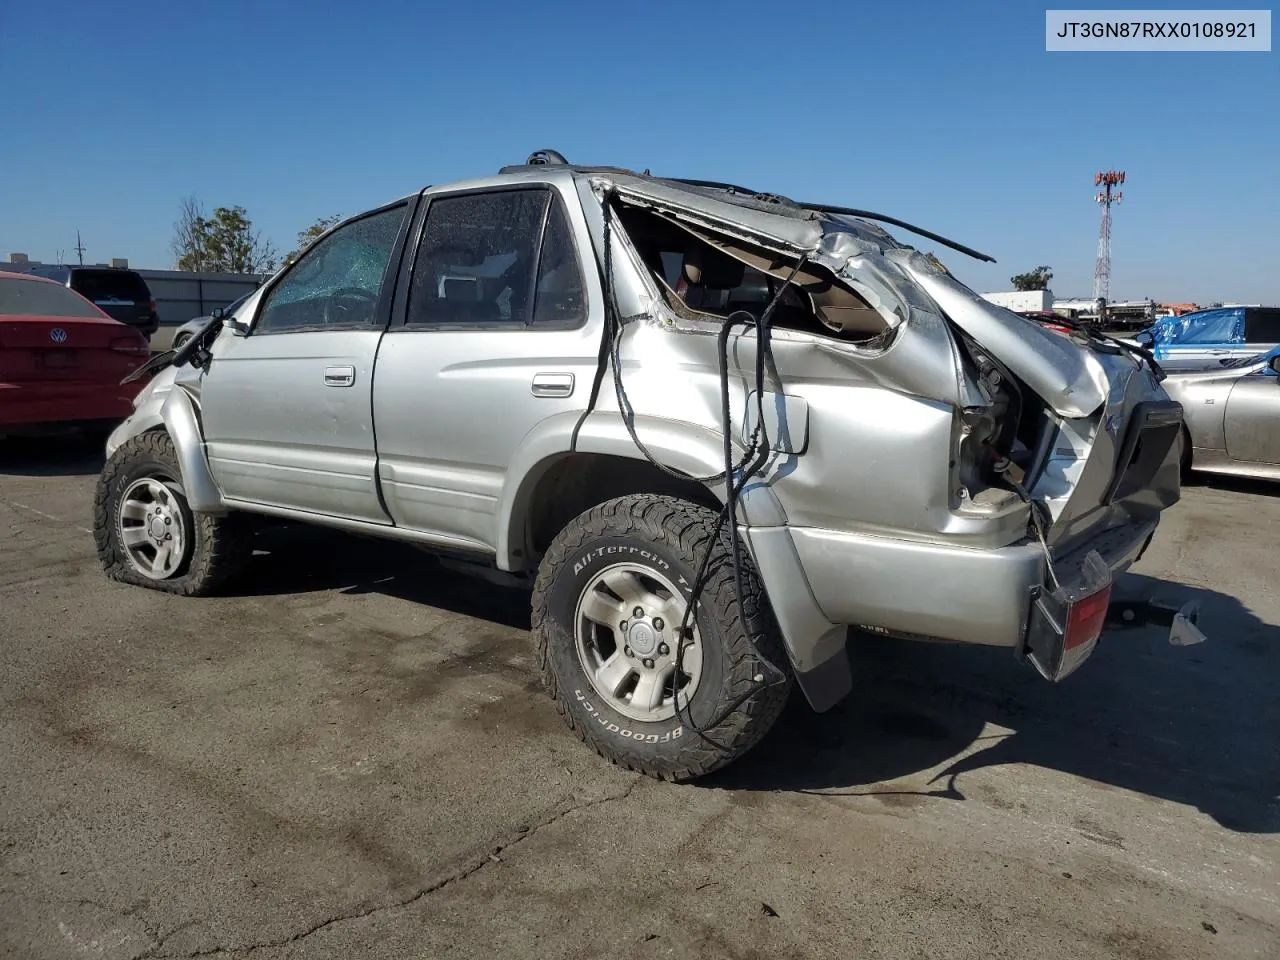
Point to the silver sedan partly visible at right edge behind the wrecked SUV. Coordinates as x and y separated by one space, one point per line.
1232 417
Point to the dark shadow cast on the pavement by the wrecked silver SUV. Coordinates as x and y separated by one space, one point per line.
1195 725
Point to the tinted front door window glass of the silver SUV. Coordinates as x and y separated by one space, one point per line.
337 281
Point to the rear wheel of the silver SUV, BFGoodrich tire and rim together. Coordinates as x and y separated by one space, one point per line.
610 598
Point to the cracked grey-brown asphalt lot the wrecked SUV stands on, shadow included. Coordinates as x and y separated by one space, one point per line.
350 758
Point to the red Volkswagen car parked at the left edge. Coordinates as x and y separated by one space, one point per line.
62 359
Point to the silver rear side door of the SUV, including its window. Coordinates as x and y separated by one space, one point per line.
493 340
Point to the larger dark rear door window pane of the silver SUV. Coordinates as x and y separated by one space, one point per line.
477 262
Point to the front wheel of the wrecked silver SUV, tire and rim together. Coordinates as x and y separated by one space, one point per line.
148 536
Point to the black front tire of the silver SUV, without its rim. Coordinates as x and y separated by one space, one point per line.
218 548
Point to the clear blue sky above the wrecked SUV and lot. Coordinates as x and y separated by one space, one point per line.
950 116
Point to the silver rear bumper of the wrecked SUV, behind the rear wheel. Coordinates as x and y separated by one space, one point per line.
940 592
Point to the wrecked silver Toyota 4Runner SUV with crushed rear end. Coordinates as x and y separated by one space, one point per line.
714 429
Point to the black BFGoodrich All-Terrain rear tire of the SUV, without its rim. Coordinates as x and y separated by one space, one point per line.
737 701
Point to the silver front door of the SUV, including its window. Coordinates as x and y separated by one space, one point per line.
287 409
